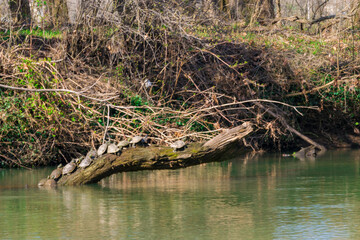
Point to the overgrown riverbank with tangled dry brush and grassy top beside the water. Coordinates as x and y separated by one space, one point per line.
62 94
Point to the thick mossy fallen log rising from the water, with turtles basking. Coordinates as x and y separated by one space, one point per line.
156 157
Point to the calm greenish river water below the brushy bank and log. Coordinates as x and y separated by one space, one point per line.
261 197
